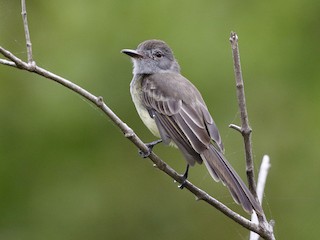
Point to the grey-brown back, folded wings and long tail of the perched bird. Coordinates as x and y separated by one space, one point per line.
182 116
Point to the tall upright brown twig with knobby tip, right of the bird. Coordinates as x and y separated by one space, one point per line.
245 128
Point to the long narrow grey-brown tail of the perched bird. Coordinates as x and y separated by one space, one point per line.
220 169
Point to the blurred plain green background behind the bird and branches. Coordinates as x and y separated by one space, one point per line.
66 172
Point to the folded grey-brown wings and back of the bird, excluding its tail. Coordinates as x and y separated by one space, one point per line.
180 113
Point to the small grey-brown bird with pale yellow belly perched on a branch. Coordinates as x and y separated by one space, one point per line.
173 109
